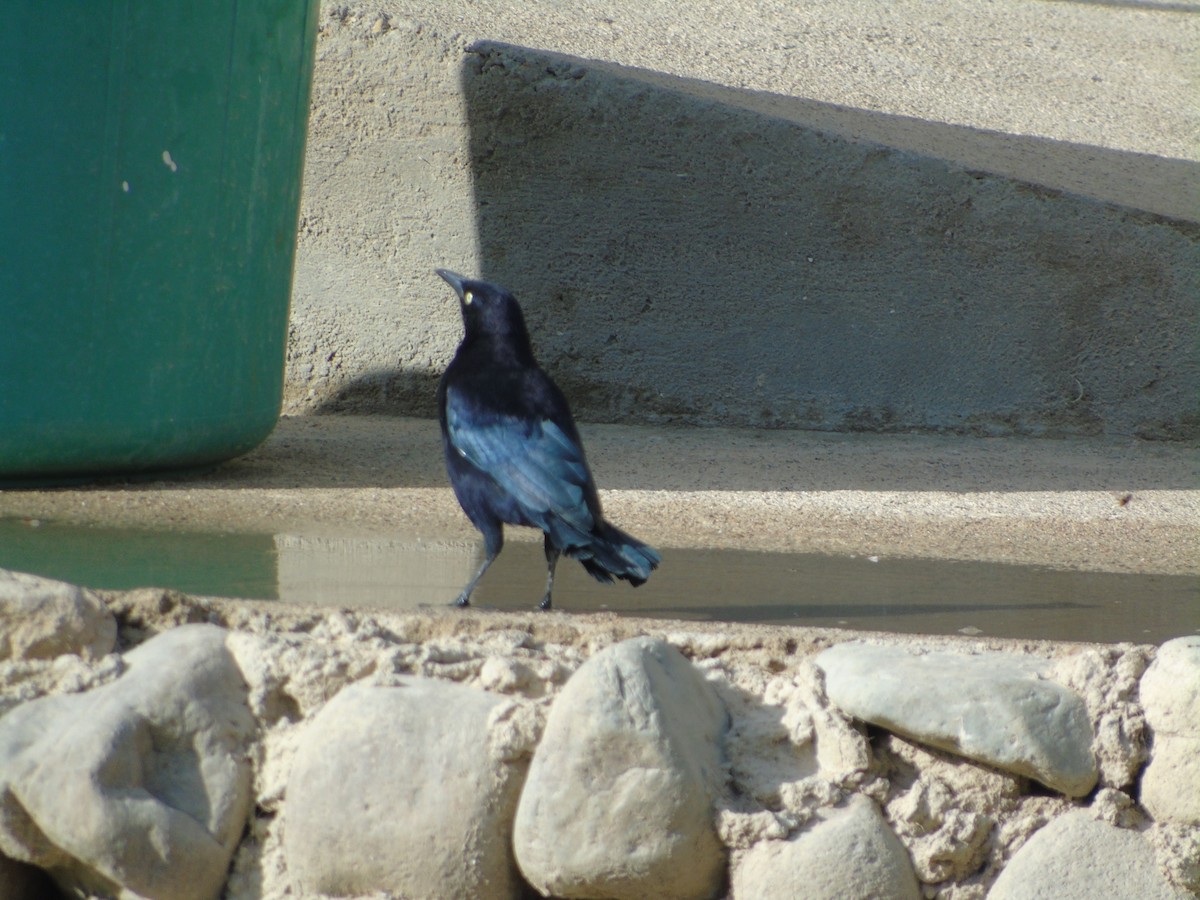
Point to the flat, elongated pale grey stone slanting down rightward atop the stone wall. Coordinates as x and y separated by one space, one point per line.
992 707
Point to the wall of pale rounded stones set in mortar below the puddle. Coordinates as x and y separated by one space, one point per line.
159 746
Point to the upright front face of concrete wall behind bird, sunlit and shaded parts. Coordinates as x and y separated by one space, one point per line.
694 254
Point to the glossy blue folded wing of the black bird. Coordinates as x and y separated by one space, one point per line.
538 464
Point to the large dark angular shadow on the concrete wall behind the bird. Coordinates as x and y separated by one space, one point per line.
693 254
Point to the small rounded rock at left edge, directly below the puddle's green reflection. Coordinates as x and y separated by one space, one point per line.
41 619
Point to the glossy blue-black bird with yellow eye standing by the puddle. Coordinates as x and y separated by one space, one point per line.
513 452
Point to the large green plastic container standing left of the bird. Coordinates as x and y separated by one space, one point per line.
151 161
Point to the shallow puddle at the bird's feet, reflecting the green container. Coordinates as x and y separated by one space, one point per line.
913 596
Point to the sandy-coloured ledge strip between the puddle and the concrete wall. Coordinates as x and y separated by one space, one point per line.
1095 505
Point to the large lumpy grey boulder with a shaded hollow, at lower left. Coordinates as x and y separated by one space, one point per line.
140 787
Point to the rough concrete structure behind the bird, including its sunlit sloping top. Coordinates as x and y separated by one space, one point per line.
841 218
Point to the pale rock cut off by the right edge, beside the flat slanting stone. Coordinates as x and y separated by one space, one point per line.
1171 697
